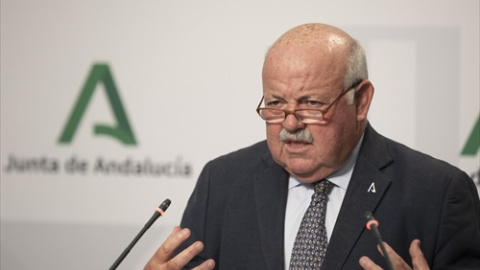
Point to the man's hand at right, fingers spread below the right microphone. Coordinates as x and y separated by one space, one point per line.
418 260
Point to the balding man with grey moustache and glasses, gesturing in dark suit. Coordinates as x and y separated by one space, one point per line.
247 207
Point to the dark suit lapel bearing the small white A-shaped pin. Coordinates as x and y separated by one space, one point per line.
364 193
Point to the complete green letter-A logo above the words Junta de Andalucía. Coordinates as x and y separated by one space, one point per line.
100 73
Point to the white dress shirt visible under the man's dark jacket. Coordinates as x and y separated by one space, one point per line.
300 194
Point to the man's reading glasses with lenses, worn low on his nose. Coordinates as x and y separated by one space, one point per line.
306 116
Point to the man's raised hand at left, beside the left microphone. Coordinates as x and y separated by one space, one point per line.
162 259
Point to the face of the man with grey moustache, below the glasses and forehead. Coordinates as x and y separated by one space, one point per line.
301 77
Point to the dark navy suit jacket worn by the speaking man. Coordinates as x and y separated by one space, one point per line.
238 208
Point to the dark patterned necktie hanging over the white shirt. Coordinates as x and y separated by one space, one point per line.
311 242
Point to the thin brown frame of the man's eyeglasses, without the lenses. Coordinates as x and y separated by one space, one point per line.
323 112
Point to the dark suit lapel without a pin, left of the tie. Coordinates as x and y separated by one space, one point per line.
271 190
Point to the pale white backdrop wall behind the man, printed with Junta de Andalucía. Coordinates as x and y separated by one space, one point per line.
188 74
